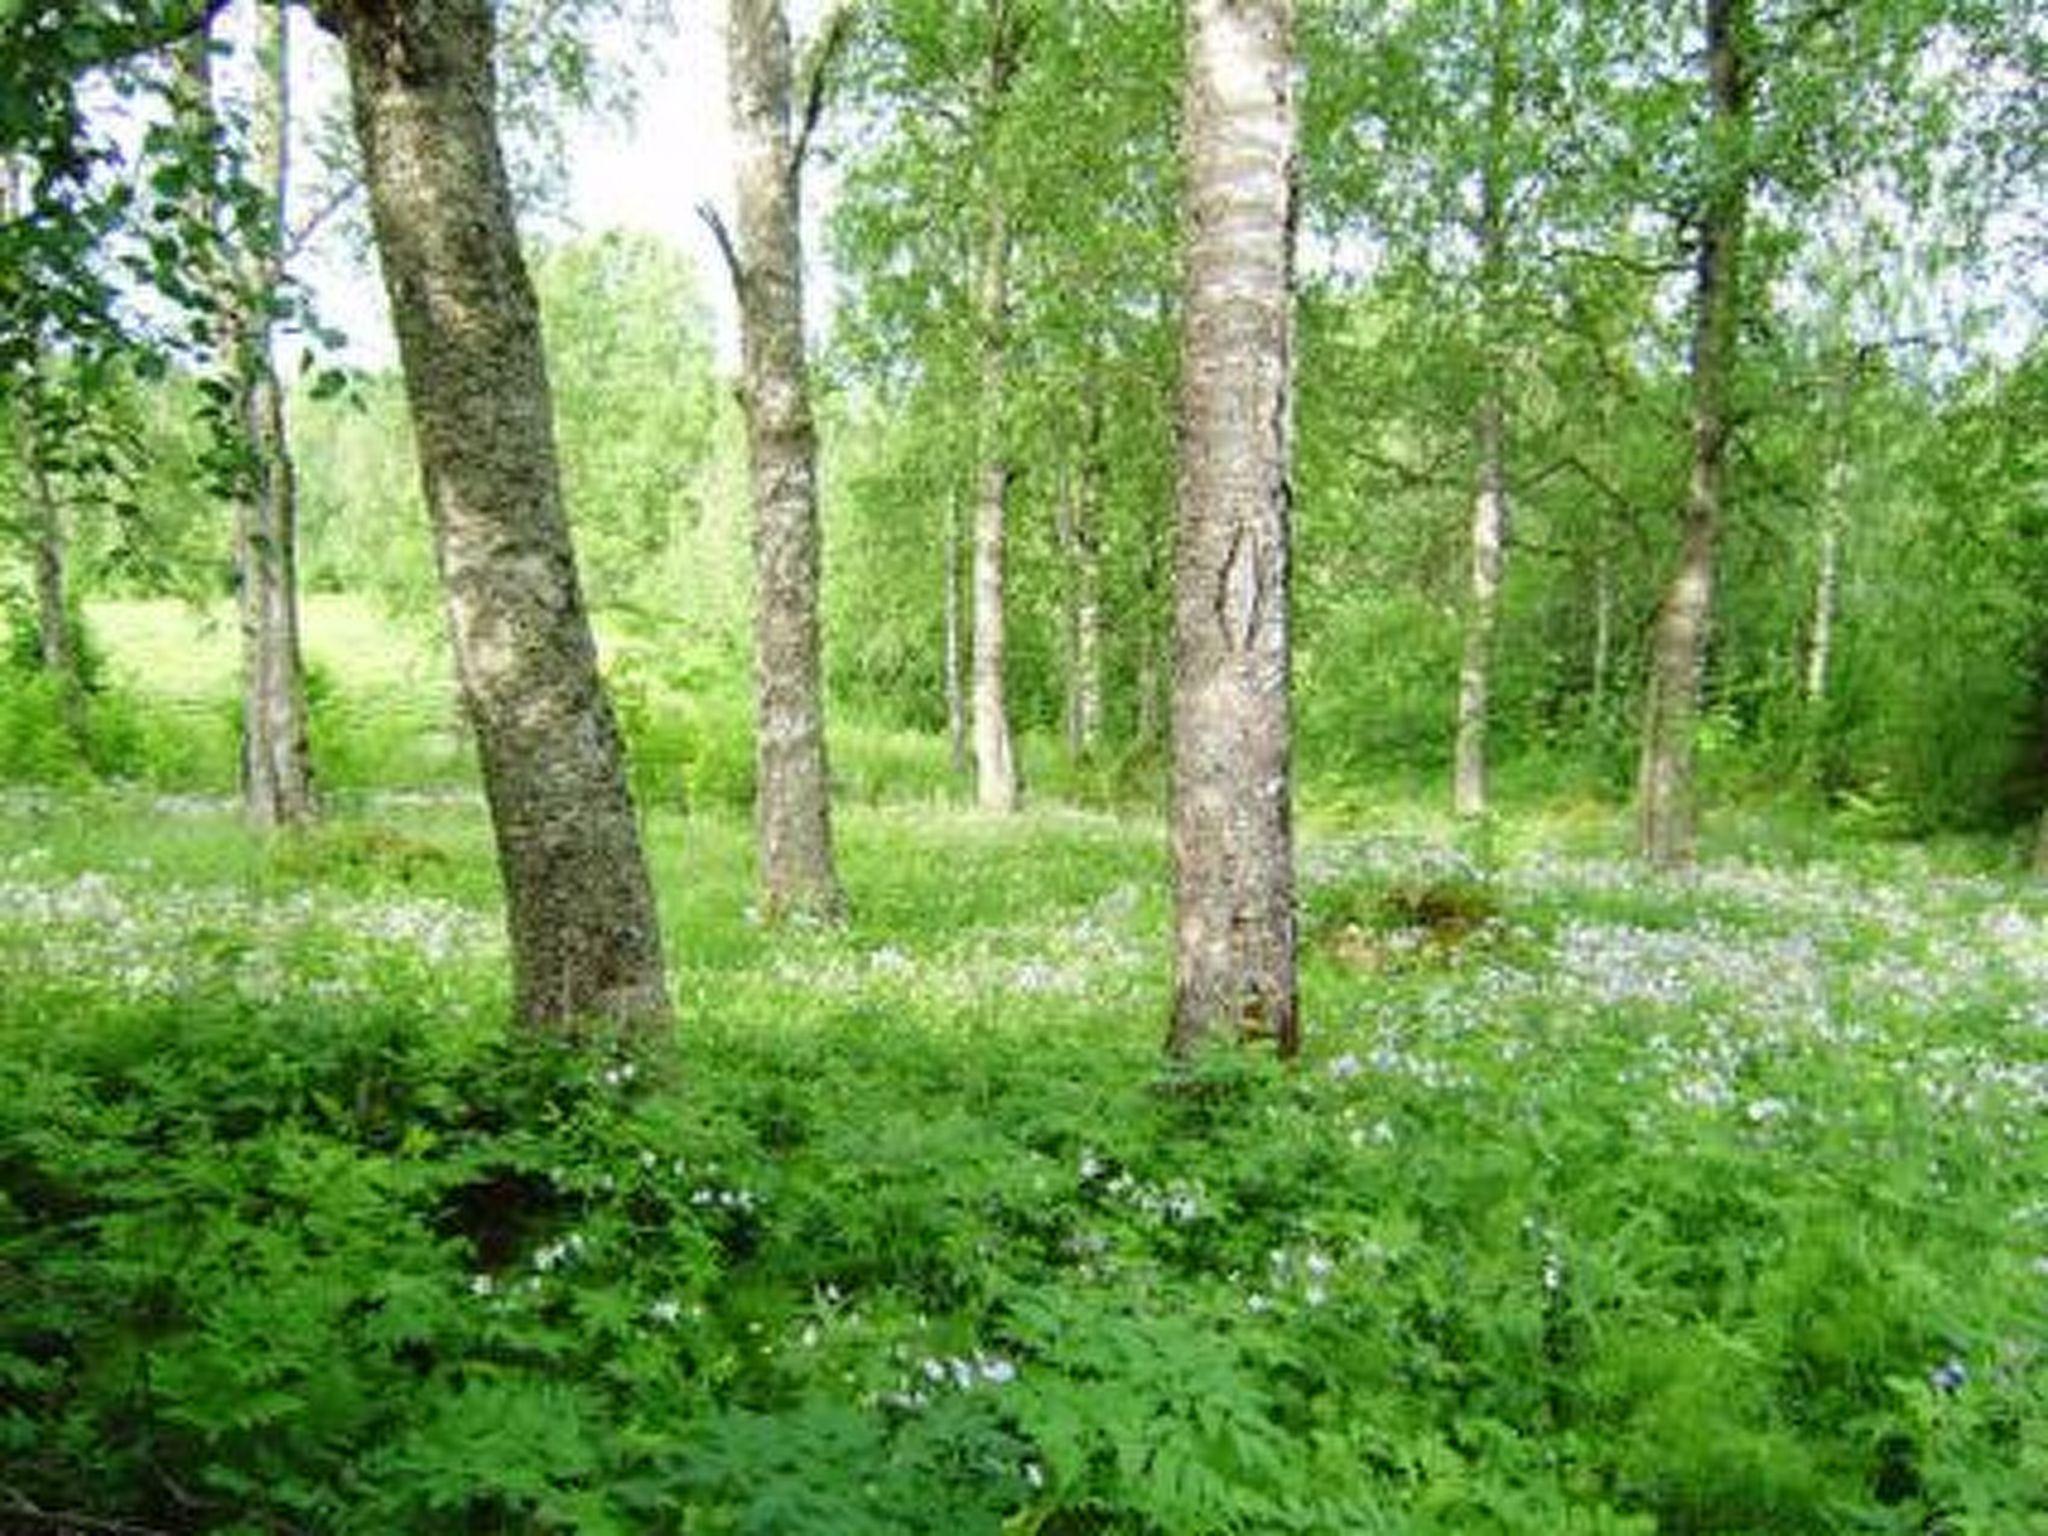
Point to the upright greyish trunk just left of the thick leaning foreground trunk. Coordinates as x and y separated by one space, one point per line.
278 775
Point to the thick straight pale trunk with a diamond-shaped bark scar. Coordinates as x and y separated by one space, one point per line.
1234 849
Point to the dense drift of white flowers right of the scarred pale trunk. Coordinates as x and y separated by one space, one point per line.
1715 994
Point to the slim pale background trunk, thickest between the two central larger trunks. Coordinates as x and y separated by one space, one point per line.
996 777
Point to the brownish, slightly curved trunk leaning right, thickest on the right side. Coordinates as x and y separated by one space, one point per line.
1666 790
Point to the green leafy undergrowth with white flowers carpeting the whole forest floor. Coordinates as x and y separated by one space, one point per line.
1601 1205
